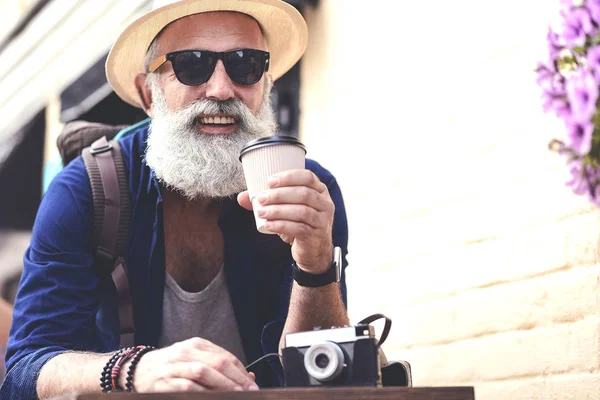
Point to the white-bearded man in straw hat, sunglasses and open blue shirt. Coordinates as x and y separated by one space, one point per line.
209 292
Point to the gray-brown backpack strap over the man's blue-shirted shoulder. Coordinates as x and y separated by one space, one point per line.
110 192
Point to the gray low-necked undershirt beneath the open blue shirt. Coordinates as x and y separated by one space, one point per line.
207 314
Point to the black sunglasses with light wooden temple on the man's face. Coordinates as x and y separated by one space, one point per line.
195 67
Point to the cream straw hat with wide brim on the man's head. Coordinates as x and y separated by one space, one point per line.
283 26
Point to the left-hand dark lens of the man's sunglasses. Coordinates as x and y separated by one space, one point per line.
193 67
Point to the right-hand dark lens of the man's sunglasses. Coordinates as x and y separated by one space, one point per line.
245 67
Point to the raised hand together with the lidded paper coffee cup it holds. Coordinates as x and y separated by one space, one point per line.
289 200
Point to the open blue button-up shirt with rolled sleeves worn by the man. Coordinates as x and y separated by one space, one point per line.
64 303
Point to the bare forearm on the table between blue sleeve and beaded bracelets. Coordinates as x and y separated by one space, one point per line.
71 372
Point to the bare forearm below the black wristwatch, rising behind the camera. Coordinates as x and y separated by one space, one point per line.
310 307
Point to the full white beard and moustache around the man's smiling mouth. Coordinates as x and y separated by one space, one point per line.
200 165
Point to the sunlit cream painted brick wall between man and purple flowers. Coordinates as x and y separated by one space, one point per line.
461 228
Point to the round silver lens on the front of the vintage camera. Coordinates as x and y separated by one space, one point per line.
324 361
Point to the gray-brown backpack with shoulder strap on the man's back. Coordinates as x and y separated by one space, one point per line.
99 147
